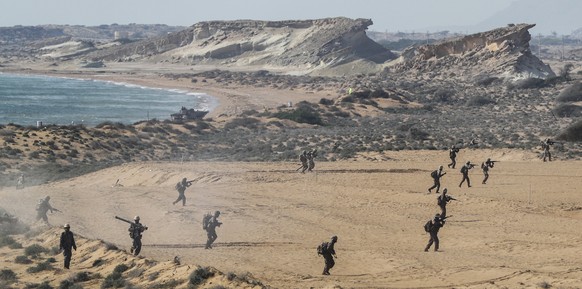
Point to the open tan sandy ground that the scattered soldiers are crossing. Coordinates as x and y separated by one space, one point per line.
519 230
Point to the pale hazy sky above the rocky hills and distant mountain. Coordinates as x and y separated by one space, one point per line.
391 15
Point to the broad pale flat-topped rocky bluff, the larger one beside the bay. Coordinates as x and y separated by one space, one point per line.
303 44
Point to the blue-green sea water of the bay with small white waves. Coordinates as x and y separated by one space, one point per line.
28 100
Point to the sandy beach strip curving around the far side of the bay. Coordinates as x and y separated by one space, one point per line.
231 99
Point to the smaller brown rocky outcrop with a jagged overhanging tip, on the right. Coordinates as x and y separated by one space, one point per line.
503 53
